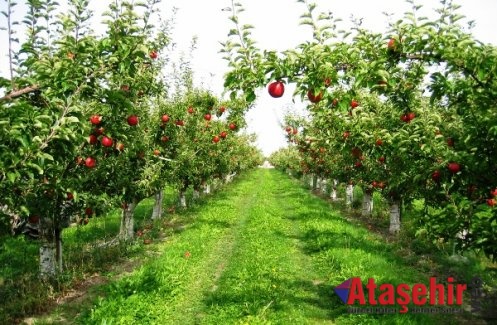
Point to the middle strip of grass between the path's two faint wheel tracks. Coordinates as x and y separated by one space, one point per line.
269 279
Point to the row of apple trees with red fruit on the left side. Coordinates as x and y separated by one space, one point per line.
88 122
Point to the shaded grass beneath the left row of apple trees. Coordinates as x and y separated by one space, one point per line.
22 293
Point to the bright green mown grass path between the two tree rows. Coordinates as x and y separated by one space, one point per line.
264 251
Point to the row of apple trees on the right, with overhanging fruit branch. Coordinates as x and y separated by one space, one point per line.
411 113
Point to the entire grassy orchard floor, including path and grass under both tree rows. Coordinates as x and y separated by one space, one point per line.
263 250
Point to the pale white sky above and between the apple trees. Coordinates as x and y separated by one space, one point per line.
276 28
